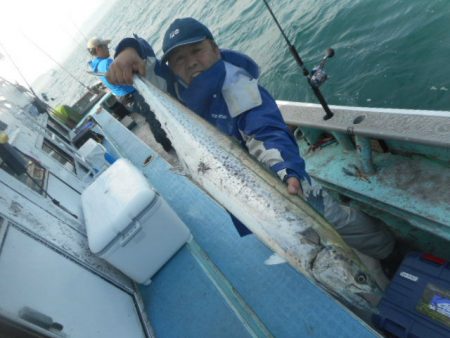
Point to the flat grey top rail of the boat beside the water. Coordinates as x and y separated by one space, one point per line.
419 126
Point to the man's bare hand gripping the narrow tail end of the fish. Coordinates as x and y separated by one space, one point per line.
127 63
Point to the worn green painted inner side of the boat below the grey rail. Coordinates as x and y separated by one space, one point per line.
409 190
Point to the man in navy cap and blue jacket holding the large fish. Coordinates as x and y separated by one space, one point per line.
222 87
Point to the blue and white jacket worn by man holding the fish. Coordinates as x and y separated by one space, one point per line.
228 96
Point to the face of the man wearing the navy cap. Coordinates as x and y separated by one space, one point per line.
190 60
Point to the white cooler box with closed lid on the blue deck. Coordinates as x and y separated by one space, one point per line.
129 224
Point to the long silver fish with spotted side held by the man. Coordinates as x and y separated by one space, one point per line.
285 223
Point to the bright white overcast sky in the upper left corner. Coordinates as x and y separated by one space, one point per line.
55 26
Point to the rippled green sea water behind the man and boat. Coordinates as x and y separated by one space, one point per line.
389 53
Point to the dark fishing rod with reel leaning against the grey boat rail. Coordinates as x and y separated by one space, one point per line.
317 76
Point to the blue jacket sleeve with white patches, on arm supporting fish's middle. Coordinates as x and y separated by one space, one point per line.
269 140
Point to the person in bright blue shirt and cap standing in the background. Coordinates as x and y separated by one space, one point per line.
127 95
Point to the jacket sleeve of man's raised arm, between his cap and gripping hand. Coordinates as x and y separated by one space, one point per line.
157 73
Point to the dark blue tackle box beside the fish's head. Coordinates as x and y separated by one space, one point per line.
417 301
